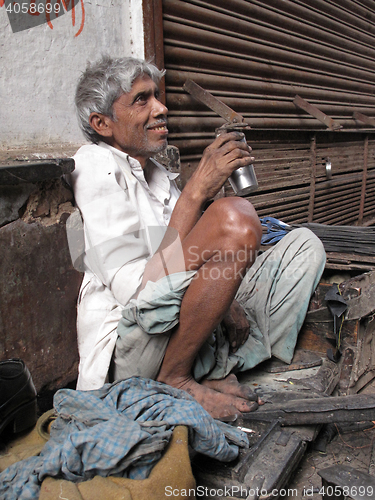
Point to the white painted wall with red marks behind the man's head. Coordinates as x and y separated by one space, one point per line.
39 68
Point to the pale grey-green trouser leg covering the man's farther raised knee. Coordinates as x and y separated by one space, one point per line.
275 295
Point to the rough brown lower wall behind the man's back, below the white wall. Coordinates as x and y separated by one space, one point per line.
39 288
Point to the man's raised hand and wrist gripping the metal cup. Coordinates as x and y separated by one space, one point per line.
227 153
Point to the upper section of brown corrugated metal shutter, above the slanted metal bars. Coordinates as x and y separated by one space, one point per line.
257 55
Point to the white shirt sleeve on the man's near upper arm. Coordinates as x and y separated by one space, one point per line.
116 249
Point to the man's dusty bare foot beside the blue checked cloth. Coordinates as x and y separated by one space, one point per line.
218 404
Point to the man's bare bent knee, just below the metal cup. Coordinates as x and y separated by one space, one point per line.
237 221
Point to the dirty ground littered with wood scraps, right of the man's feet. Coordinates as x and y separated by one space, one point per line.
290 461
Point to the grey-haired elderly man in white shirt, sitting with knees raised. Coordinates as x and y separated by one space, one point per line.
171 293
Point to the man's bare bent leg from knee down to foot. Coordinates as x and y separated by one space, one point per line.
230 241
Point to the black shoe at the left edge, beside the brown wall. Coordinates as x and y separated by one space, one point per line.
18 407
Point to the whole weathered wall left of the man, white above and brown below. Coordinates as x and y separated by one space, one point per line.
39 70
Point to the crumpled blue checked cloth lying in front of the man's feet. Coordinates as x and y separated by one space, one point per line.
119 430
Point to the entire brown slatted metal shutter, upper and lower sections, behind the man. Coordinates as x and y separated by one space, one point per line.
256 56
